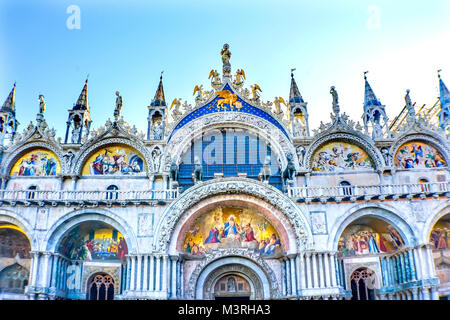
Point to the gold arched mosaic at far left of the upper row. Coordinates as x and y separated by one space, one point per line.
37 163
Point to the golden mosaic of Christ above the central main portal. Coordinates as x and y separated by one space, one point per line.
232 228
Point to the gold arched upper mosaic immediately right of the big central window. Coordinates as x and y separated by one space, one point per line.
340 156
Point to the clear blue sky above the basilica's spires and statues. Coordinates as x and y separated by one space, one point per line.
124 45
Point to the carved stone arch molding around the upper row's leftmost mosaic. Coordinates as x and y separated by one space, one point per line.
24 148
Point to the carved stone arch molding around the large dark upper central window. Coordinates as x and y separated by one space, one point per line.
279 142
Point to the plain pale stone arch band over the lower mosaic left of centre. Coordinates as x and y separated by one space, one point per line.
56 233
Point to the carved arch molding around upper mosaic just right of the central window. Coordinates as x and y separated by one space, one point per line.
359 140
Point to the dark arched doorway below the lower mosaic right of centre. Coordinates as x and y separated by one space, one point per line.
363 284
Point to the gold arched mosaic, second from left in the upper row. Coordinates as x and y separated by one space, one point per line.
115 159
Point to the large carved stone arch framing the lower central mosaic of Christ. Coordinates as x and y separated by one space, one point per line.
281 211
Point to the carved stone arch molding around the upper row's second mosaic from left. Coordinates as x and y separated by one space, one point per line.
80 159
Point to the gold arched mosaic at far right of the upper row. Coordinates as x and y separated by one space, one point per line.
417 154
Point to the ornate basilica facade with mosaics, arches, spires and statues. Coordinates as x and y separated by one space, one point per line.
230 197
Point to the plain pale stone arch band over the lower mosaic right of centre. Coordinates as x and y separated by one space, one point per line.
382 212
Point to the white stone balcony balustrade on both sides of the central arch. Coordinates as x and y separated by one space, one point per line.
152 197
